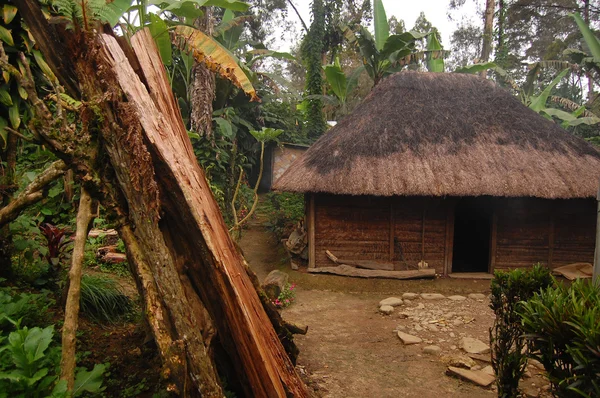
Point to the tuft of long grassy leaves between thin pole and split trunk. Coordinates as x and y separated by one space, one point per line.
102 299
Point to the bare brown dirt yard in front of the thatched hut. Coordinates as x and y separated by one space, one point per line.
351 350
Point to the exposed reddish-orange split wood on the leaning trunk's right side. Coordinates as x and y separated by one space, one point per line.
219 274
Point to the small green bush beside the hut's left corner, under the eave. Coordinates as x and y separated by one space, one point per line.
283 211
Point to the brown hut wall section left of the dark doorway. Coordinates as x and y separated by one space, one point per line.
372 228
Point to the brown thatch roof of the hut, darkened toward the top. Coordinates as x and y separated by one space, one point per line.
438 134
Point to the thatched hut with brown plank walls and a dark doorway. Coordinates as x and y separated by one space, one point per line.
446 171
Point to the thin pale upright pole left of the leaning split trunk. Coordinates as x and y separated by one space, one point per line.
67 362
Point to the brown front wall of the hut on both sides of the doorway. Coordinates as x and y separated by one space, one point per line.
527 231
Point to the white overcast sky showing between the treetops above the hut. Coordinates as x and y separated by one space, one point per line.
436 11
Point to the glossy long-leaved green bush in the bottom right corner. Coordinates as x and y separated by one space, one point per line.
562 326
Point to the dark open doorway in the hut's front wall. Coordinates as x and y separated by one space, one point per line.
472 229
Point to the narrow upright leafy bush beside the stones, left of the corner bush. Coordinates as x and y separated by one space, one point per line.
506 334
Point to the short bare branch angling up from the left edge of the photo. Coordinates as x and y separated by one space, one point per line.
33 193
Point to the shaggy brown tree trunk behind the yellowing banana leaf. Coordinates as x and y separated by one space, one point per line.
202 91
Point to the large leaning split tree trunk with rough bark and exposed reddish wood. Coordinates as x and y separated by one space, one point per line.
189 271
